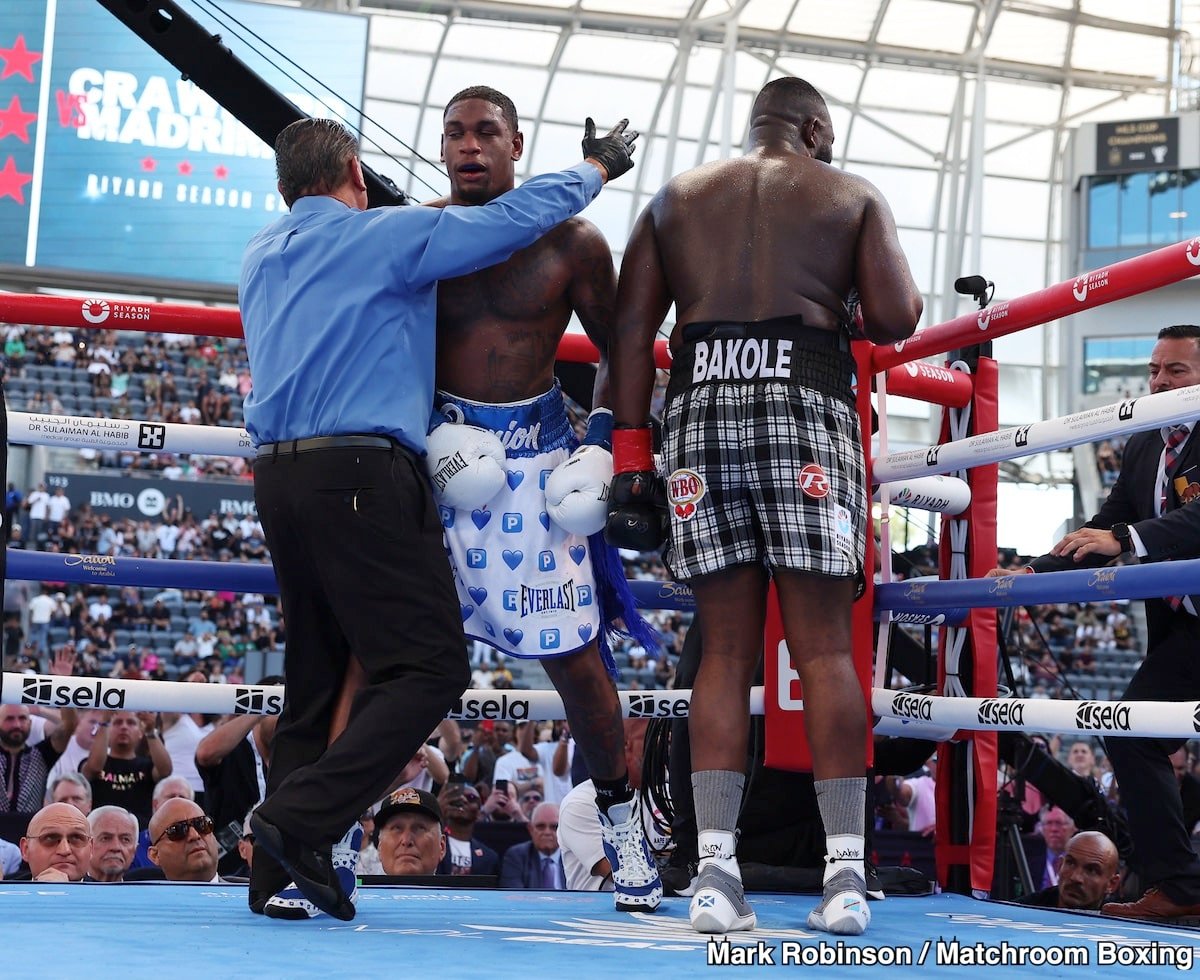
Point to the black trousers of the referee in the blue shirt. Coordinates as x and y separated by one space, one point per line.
357 544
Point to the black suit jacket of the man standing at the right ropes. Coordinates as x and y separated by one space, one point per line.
1135 501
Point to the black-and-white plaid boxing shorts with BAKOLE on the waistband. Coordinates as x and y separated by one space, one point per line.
763 452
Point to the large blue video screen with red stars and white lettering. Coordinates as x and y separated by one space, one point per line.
111 163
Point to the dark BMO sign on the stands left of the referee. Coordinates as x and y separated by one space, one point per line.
153 500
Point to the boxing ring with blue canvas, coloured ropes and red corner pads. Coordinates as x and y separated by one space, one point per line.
956 479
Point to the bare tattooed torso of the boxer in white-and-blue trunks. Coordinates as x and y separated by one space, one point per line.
499 329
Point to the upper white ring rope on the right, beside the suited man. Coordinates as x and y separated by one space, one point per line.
1119 419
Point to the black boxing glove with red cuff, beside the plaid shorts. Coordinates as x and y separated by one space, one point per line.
638 500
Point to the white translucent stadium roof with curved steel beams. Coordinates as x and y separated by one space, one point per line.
902 79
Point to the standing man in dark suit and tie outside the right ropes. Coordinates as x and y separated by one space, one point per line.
1151 515
